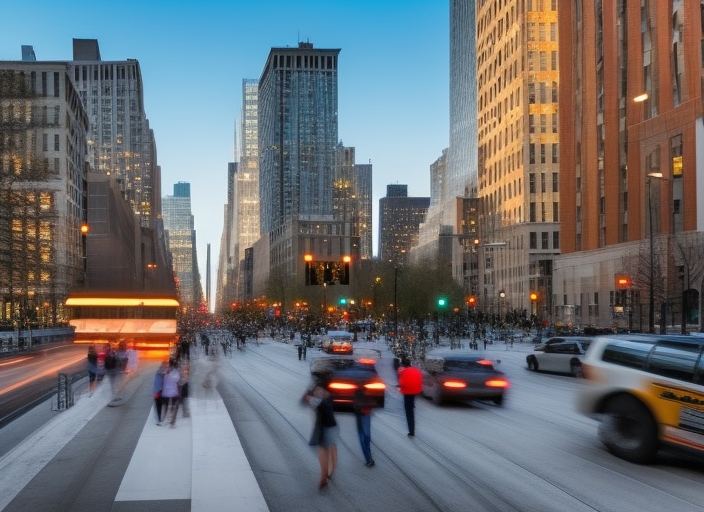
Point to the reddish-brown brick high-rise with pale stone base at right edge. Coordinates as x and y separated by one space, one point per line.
632 175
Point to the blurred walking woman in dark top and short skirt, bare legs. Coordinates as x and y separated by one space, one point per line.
325 430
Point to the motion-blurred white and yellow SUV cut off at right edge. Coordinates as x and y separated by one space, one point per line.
647 392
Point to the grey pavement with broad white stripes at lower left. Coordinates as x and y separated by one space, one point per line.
199 465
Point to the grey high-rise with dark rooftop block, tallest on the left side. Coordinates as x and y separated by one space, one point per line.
120 142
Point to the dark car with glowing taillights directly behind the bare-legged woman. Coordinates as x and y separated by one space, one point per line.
346 375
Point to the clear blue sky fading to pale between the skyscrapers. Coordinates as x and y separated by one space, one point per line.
393 74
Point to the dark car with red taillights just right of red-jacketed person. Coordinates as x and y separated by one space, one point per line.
456 375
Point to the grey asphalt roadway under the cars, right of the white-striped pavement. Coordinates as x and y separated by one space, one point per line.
534 453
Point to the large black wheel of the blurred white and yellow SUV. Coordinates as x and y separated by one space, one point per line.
628 429
